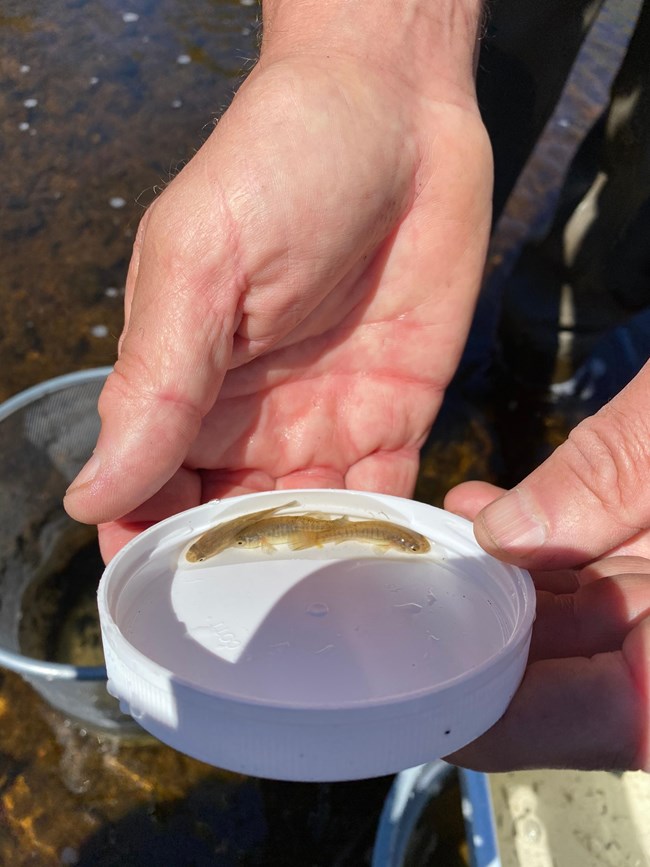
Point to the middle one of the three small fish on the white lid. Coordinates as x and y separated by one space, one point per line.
296 531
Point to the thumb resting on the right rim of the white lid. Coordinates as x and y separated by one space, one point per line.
590 495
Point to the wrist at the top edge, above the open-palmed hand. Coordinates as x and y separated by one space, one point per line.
429 44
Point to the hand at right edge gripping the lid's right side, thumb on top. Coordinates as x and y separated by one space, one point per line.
584 701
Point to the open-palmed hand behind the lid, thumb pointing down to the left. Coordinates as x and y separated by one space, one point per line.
299 295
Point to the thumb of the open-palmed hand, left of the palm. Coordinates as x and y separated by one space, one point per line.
173 357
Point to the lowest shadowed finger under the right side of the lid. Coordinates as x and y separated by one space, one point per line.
577 713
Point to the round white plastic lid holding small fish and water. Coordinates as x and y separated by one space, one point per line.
332 663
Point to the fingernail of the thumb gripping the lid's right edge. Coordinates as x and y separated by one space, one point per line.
511 524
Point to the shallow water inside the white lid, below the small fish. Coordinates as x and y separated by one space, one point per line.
314 633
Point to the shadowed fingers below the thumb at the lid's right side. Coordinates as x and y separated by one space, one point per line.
584 702
